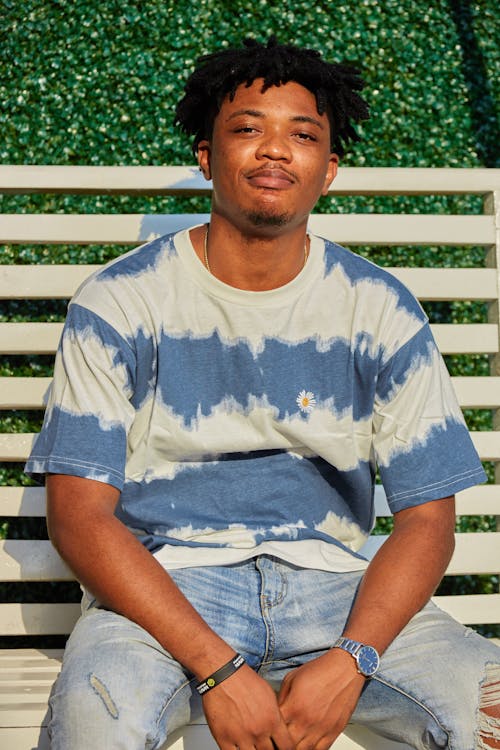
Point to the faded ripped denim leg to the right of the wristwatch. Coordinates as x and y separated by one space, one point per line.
431 682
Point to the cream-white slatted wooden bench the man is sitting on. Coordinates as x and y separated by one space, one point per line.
27 674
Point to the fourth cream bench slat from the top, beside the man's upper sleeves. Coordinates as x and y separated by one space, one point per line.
452 338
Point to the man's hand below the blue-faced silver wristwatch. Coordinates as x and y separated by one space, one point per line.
317 699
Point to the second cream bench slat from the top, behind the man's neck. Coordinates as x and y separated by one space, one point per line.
351 229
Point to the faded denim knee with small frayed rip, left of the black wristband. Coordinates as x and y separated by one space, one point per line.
117 688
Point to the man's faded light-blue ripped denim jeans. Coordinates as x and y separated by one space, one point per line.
119 688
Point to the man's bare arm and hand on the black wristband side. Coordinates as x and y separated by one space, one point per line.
124 576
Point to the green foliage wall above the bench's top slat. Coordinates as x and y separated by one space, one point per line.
96 81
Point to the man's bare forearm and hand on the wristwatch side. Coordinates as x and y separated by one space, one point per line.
317 699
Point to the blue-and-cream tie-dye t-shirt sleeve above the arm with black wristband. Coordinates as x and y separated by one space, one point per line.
89 411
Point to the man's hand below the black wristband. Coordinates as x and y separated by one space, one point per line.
243 712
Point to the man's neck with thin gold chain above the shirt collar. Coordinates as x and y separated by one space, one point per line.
250 261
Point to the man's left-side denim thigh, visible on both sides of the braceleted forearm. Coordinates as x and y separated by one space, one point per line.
119 688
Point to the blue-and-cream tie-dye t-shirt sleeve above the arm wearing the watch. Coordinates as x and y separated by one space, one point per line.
422 446
